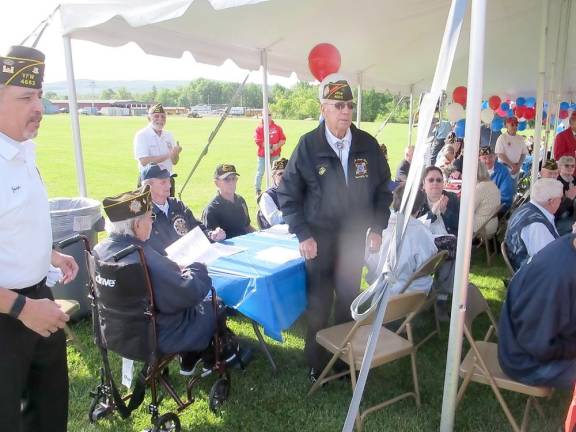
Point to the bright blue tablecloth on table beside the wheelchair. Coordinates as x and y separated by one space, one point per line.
273 295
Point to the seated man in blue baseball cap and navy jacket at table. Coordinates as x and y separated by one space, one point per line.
172 219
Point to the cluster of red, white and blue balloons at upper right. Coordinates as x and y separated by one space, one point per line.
495 111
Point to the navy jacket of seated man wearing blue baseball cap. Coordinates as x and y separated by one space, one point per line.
167 229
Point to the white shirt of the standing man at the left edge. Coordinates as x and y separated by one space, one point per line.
25 229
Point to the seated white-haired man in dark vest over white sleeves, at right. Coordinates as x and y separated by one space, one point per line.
531 226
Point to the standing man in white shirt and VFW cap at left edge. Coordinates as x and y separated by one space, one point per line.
33 367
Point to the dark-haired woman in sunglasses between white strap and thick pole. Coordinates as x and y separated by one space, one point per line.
440 209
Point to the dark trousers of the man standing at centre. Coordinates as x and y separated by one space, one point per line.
333 278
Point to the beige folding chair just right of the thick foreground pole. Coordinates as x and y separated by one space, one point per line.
481 363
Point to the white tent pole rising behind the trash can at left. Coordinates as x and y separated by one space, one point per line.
73 109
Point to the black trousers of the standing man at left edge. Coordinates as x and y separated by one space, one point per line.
33 375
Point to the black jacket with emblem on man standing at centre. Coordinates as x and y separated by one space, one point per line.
313 194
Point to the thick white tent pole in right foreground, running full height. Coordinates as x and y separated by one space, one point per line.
462 265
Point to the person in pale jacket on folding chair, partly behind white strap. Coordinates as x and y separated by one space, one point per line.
417 246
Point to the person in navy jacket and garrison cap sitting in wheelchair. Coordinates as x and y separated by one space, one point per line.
185 318
